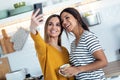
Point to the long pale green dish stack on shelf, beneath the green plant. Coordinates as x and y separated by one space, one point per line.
20 10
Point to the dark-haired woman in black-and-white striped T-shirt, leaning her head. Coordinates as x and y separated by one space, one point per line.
86 56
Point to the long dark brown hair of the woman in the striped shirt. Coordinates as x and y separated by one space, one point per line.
76 15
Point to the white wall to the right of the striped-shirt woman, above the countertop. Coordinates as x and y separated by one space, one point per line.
110 15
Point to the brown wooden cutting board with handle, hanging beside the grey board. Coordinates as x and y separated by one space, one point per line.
7 46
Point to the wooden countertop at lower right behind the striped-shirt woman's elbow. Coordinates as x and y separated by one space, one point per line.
112 69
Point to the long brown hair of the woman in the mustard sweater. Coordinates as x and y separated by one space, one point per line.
46 37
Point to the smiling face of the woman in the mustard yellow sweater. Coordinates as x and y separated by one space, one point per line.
54 27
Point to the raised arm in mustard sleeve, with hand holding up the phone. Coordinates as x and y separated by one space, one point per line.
40 44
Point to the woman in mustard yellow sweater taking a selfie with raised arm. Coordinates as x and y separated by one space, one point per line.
51 53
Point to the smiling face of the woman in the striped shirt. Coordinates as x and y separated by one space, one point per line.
68 22
